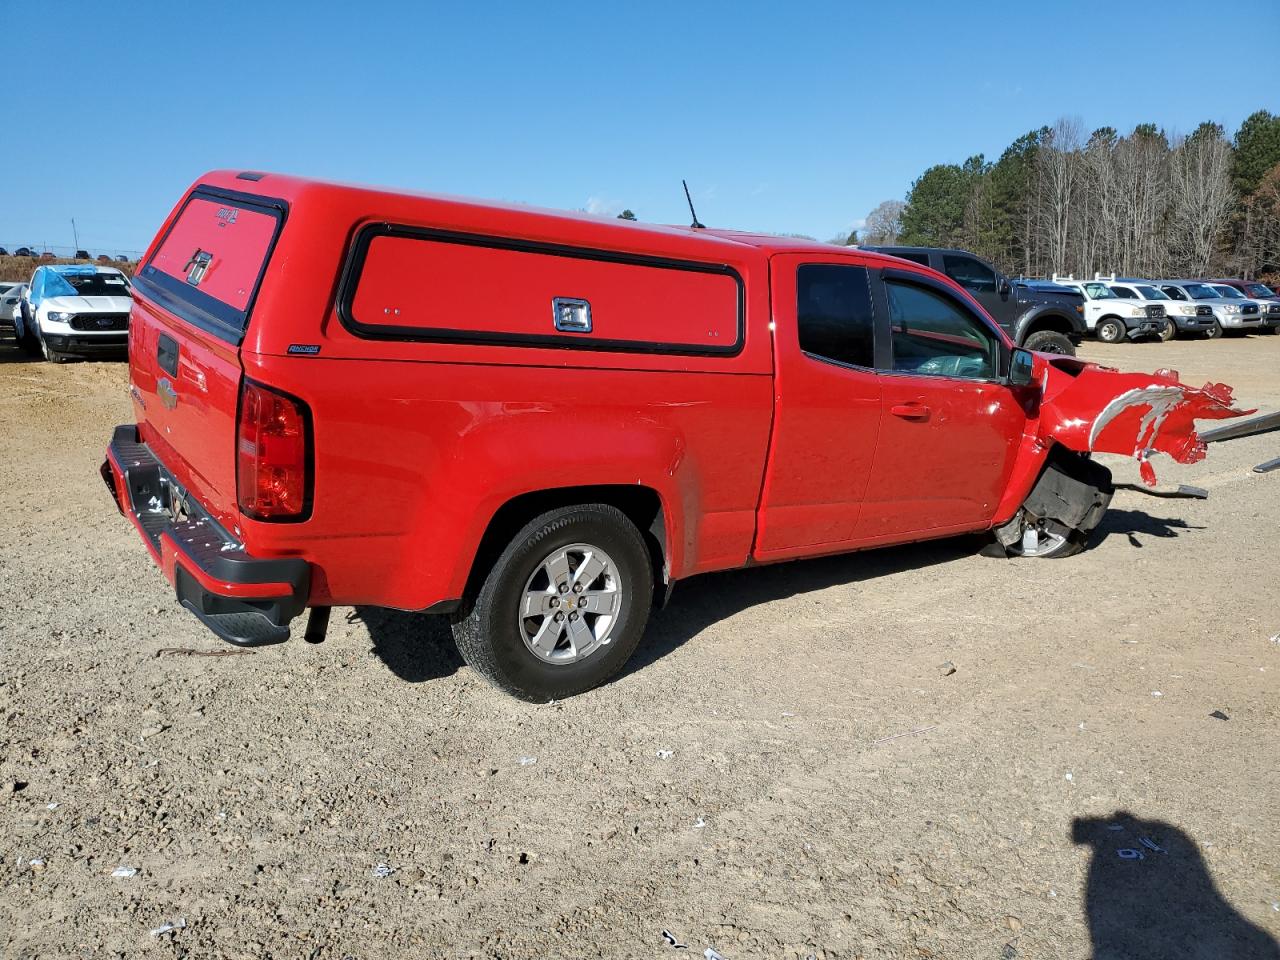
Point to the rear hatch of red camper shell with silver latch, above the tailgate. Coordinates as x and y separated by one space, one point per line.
209 266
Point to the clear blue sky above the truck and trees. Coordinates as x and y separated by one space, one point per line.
784 117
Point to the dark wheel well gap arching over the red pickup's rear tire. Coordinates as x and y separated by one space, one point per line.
642 505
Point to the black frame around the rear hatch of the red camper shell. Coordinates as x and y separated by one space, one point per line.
195 307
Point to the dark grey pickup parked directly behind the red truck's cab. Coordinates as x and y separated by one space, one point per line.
1037 316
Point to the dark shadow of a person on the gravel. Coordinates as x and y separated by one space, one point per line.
1150 897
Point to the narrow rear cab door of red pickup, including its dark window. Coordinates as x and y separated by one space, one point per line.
828 406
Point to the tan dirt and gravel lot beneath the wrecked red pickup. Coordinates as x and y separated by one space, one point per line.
831 792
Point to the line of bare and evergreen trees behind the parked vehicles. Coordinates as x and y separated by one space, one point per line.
1144 204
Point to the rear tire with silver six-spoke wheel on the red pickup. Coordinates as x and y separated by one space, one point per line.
499 642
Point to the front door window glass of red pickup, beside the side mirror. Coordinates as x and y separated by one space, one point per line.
934 335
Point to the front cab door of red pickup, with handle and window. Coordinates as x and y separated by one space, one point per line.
950 428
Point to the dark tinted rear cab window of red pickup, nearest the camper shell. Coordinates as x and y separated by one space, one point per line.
834 313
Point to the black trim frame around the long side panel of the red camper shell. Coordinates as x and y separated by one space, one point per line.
365 236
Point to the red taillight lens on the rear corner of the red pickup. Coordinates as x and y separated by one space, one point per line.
272 455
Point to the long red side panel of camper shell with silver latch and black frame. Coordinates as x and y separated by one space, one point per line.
424 285
